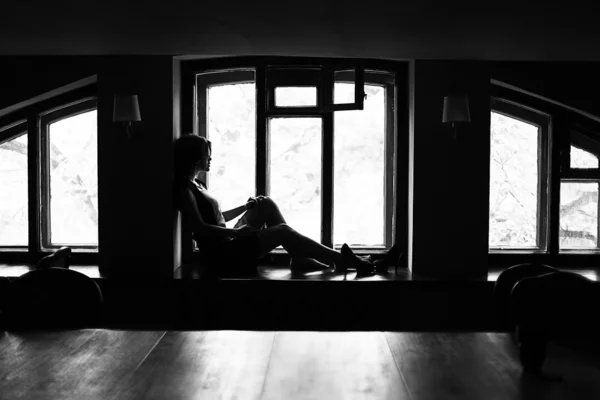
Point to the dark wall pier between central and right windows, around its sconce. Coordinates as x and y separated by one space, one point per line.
450 193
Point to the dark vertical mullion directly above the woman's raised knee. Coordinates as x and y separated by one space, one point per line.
262 156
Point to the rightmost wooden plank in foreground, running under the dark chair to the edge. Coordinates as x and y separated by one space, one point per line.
447 366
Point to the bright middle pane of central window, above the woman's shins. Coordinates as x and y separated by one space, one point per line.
295 172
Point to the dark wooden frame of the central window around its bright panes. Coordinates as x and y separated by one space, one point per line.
396 132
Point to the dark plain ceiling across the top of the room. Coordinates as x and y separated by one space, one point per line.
507 30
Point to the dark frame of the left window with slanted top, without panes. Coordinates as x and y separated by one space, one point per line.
32 115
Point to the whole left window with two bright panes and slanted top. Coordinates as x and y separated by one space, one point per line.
48 168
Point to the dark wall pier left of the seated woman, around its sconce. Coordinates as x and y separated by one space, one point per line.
135 175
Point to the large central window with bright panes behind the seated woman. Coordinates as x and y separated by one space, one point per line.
331 172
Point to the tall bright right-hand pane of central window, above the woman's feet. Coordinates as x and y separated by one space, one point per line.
359 169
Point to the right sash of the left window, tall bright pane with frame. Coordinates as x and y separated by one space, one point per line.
70 176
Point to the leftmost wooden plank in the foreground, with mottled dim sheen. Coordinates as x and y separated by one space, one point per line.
70 364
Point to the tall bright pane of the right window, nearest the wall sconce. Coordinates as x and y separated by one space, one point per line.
513 183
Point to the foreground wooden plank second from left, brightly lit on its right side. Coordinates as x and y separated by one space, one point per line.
203 365
